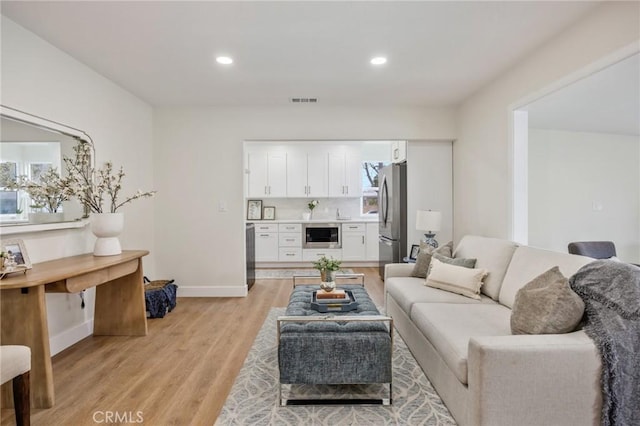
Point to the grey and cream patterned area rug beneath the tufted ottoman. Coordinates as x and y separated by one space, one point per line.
253 399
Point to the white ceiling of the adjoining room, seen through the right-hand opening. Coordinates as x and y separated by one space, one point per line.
605 102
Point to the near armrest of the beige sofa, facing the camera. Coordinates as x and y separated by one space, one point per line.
534 379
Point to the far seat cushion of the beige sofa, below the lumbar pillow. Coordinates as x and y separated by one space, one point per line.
407 291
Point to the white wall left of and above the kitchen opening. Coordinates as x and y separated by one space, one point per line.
198 164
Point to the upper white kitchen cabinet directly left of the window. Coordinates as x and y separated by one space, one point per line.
345 171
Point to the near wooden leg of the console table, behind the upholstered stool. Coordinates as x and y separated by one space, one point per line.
24 322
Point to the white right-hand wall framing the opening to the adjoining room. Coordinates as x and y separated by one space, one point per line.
481 151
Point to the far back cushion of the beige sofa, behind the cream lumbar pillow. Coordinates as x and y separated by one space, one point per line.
492 254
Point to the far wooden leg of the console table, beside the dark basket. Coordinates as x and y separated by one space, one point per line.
120 307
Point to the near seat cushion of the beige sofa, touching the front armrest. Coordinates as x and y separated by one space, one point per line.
449 327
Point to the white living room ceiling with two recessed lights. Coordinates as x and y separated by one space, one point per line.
163 52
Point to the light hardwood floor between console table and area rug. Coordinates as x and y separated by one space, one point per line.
179 374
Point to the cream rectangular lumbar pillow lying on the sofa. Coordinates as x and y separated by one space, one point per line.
456 279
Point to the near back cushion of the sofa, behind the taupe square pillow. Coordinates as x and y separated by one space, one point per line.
528 262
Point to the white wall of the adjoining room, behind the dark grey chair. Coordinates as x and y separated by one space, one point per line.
584 187
